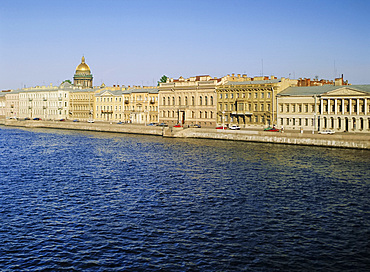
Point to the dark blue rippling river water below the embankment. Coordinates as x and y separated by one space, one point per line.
75 201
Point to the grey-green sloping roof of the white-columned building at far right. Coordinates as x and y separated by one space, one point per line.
318 90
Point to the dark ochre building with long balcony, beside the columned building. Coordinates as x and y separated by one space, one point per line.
249 102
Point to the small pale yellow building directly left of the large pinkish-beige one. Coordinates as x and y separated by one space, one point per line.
141 105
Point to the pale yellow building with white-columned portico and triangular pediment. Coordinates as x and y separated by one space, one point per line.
339 108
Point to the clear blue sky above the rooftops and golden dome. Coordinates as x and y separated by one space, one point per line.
132 42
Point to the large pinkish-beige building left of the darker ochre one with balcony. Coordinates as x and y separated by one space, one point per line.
189 101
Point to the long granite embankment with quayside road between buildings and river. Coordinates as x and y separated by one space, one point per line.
341 140
